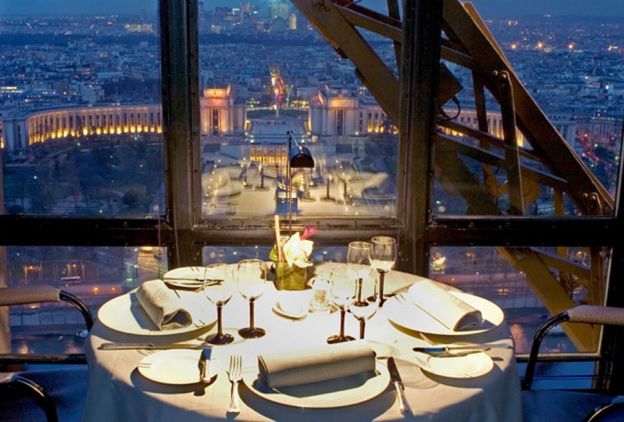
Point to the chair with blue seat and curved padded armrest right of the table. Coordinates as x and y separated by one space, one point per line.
570 405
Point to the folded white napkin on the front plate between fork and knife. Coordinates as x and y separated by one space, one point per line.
316 364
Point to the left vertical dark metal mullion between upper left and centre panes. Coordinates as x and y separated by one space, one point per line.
181 122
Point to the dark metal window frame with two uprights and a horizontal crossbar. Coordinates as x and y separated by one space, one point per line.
183 231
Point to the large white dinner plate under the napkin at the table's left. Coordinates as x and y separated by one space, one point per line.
125 314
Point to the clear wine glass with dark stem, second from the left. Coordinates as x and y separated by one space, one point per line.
251 279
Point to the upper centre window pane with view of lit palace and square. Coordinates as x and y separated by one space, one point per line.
265 72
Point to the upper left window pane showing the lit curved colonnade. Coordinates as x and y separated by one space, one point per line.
80 109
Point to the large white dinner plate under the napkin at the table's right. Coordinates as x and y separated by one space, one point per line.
408 315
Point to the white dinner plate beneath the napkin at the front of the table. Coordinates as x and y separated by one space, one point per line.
339 392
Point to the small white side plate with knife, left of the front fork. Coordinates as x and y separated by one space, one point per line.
175 367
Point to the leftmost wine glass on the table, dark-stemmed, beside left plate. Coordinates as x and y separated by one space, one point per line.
218 288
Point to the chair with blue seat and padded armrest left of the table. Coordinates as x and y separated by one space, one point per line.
20 389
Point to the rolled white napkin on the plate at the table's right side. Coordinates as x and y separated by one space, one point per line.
446 308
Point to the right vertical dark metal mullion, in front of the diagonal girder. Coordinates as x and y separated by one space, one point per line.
422 25
